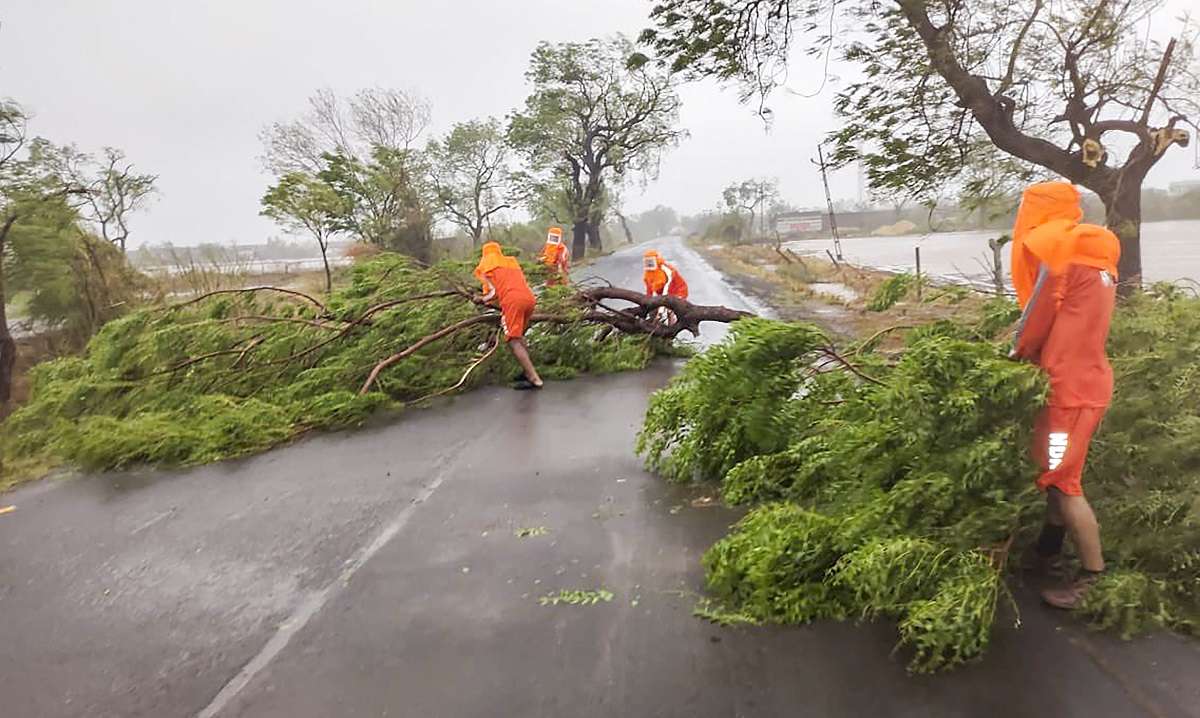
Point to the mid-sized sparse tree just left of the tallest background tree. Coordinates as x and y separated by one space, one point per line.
471 173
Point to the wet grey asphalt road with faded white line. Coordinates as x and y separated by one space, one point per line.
380 573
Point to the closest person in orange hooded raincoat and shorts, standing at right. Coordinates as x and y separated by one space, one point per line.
1065 276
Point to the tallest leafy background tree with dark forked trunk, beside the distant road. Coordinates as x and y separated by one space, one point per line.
591 123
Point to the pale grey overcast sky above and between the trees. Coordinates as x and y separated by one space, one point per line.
184 89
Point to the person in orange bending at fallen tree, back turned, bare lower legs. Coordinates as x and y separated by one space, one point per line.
505 285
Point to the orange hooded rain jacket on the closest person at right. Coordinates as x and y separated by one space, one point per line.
1065 276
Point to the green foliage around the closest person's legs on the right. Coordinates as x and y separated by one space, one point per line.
902 496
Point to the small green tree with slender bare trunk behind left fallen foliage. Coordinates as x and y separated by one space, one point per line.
302 204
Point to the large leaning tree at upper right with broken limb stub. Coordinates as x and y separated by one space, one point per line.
1034 88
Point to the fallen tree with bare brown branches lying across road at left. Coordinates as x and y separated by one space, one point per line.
237 372
